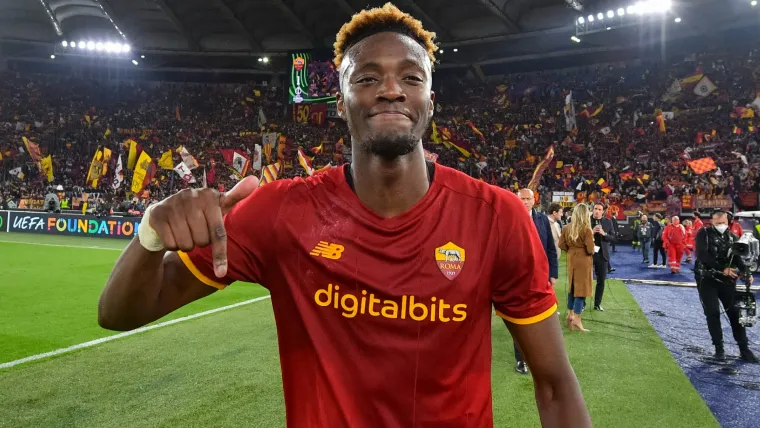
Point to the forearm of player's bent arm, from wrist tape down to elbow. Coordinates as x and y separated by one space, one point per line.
131 293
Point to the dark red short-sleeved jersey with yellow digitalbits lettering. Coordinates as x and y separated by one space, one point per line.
386 322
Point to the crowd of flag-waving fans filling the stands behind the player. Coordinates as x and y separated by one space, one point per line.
630 131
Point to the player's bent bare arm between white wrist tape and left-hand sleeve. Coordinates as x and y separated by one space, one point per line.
144 286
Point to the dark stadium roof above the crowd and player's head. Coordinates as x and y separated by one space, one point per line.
235 34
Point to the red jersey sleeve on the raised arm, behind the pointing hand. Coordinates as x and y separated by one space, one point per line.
251 239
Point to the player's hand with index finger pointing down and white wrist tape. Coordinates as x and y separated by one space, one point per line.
194 218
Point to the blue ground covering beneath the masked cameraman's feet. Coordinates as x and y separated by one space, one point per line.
676 314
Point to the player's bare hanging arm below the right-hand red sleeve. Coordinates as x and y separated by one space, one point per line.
558 394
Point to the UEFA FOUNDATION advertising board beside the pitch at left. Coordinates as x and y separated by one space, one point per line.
71 224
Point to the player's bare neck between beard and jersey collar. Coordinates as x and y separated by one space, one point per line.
390 188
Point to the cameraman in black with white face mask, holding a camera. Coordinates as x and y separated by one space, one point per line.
716 274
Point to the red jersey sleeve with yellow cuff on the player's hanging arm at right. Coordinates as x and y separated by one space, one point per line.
521 292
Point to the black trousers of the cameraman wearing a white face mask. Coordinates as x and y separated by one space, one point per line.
712 294
